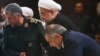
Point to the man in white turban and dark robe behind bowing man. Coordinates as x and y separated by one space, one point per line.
50 13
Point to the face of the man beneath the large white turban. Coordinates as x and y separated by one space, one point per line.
46 15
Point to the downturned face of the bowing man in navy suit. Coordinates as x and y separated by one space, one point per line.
54 40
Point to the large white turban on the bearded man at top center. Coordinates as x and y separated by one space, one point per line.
49 4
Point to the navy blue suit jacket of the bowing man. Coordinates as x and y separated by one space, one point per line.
78 44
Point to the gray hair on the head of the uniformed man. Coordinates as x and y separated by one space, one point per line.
13 8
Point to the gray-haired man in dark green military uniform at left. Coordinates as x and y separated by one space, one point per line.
21 37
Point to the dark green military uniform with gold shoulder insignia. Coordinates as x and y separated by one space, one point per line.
25 38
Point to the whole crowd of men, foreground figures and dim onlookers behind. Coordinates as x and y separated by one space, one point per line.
53 35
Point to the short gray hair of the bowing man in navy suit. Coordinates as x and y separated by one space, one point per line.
55 28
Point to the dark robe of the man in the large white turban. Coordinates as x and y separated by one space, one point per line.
64 21
